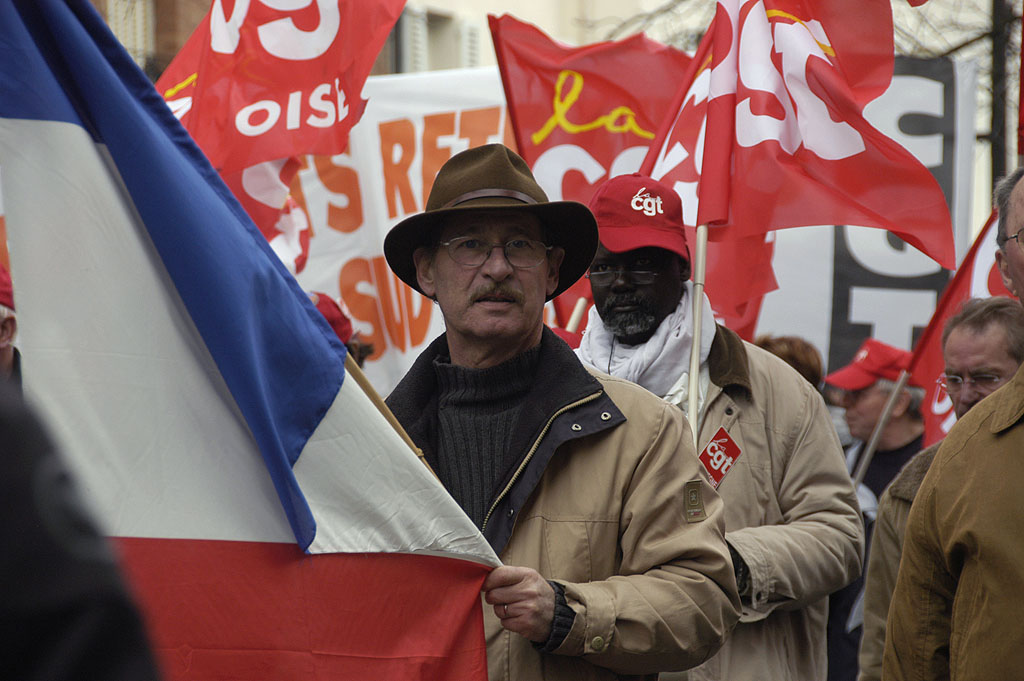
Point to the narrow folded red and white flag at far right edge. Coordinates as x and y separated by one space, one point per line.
978 277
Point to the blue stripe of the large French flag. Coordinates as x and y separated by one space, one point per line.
283 364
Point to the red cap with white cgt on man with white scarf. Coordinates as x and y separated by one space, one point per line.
635 211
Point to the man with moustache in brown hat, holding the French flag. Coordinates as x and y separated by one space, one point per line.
586 487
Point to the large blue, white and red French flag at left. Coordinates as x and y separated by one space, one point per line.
272 524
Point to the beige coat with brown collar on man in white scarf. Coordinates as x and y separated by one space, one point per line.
791 512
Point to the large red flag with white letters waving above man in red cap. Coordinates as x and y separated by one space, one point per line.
770 131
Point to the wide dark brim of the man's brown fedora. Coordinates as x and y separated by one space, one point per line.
569 225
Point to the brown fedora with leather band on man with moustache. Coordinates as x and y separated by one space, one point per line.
494 178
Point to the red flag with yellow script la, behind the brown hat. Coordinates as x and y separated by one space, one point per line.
583 115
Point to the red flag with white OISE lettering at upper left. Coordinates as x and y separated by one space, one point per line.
275 80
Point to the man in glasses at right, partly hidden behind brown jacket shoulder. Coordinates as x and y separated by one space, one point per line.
984 347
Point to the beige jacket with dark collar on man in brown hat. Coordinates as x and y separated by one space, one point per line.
610 501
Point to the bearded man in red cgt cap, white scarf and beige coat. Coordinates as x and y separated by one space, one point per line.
765 437
